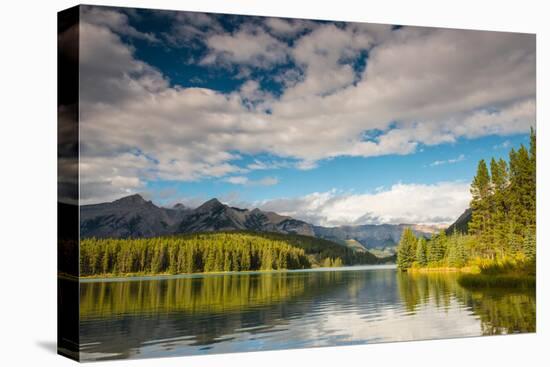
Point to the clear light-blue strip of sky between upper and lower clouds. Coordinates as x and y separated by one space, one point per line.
430 165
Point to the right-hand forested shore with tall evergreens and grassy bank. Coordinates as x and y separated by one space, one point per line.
498 245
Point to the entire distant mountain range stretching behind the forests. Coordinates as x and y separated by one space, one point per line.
133 216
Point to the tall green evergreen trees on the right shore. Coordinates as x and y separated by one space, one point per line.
503 222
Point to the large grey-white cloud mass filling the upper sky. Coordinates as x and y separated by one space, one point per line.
419 86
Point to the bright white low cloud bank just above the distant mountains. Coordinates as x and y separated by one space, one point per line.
439 203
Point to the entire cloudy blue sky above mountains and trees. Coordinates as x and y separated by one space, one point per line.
331 122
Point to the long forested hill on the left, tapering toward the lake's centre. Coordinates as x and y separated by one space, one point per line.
213 252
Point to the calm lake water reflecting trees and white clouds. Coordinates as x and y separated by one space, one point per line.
251 312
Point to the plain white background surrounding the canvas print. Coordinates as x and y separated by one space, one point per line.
28 181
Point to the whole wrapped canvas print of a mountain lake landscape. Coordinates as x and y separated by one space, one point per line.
233 183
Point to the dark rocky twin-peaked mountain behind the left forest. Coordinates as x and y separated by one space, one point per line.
133 216
